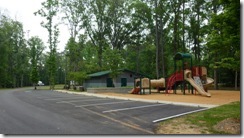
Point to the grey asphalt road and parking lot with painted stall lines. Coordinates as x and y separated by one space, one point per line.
26 111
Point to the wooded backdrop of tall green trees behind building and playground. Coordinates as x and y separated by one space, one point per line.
140 35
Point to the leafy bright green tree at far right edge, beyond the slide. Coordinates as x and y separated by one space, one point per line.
225 37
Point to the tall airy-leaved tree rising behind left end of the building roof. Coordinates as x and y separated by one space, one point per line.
95 24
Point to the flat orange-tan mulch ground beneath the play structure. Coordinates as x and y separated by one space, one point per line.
219 97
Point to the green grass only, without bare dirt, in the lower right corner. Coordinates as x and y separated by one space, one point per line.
209 118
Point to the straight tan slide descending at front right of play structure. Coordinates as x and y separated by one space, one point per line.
188 78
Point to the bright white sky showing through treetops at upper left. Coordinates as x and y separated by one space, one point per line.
23 11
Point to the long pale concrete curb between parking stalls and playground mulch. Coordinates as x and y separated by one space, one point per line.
137 99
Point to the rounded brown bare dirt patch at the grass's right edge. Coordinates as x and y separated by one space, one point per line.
229 125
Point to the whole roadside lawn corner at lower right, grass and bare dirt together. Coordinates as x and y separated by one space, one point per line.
224 119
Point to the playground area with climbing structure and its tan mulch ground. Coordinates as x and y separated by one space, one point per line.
188 84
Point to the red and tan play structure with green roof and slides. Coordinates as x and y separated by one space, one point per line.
195 76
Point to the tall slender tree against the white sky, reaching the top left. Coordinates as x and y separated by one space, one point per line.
49 10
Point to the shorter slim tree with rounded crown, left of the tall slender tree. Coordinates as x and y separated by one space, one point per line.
36 46
